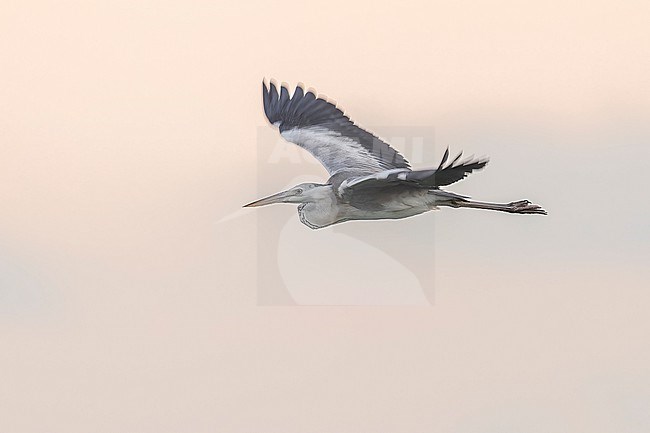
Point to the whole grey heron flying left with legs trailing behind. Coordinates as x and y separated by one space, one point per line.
369 180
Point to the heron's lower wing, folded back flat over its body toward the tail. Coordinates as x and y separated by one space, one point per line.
446 174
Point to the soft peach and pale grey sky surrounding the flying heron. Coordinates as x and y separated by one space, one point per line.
130 129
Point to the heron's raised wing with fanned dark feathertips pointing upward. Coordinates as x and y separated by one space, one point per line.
324 131
